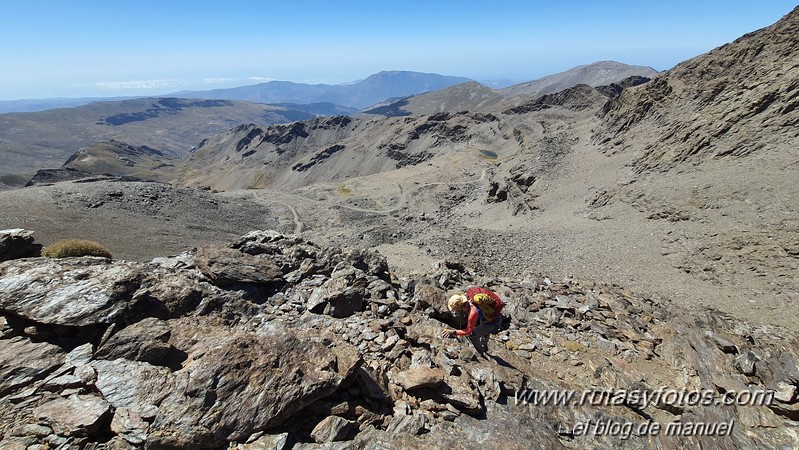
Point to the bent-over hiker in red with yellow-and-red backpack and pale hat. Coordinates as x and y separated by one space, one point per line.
484 311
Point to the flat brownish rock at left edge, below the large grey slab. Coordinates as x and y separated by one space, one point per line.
23 361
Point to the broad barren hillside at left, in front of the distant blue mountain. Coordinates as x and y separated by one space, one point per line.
45 139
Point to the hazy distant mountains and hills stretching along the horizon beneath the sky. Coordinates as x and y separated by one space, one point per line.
172 125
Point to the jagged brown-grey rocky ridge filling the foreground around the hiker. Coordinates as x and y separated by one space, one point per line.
275 342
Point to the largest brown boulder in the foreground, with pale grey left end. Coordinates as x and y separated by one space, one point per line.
297 374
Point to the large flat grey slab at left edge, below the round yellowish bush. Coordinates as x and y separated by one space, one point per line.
68 291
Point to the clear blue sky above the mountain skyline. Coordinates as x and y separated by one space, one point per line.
74 48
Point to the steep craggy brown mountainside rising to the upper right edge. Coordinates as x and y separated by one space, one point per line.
734 101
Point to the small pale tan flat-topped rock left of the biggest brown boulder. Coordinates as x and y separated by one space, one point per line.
79 415
